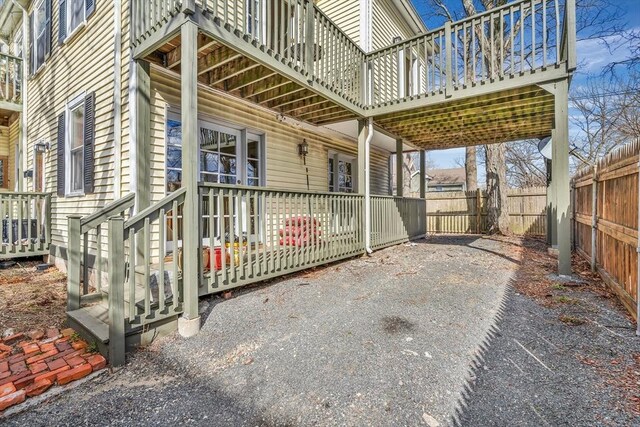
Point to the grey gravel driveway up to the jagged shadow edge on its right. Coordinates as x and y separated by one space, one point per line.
385 340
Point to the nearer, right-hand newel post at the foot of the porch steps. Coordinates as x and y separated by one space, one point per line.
115 270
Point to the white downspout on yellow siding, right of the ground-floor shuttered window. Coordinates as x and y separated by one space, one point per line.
117 99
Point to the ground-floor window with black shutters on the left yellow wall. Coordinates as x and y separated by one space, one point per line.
76 140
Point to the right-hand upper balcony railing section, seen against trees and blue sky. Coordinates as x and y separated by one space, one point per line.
506 42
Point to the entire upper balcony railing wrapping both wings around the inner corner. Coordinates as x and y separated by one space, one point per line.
519 38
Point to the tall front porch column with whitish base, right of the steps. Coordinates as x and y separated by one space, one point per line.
189 322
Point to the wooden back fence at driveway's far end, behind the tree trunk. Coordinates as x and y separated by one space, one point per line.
464 212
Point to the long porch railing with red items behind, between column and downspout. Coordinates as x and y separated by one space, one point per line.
252 234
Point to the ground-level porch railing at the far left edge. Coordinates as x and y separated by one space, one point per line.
26 224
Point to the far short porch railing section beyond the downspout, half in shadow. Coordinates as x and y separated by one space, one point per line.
396 219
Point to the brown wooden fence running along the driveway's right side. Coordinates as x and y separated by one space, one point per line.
605 213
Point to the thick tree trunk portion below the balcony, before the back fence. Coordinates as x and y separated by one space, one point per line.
497 212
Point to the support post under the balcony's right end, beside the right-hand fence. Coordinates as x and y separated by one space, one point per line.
560 176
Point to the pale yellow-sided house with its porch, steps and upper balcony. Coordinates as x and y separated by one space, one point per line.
165 149
